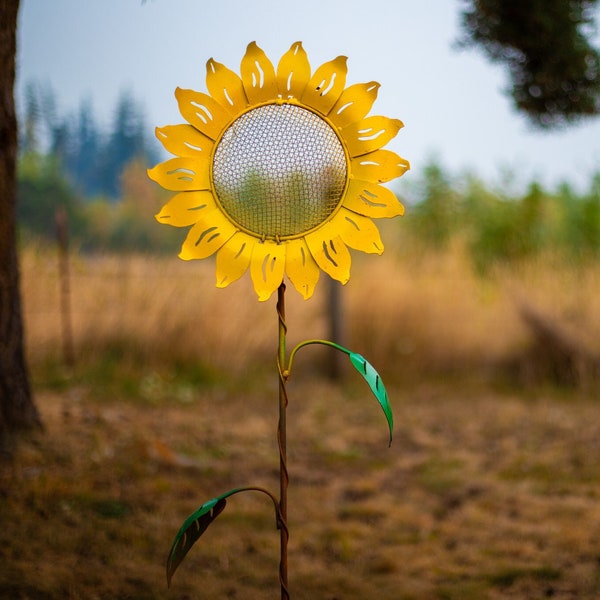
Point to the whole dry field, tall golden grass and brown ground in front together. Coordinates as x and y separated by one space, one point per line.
491 488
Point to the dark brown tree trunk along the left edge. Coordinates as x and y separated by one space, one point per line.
17 410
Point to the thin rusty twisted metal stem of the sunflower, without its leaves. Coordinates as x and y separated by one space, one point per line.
282 441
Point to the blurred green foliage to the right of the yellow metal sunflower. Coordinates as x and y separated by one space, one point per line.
497 227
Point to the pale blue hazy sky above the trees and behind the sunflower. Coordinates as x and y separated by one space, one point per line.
451 101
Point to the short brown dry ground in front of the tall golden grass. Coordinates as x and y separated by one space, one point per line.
484 494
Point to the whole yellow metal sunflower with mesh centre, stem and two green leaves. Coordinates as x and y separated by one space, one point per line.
278 173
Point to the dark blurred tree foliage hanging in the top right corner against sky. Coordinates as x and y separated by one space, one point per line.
554 68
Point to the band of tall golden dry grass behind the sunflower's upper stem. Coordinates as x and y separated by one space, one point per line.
412 316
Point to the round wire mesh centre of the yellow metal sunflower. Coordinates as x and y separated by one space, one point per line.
279 170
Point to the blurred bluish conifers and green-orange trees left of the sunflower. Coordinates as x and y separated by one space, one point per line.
98 177
